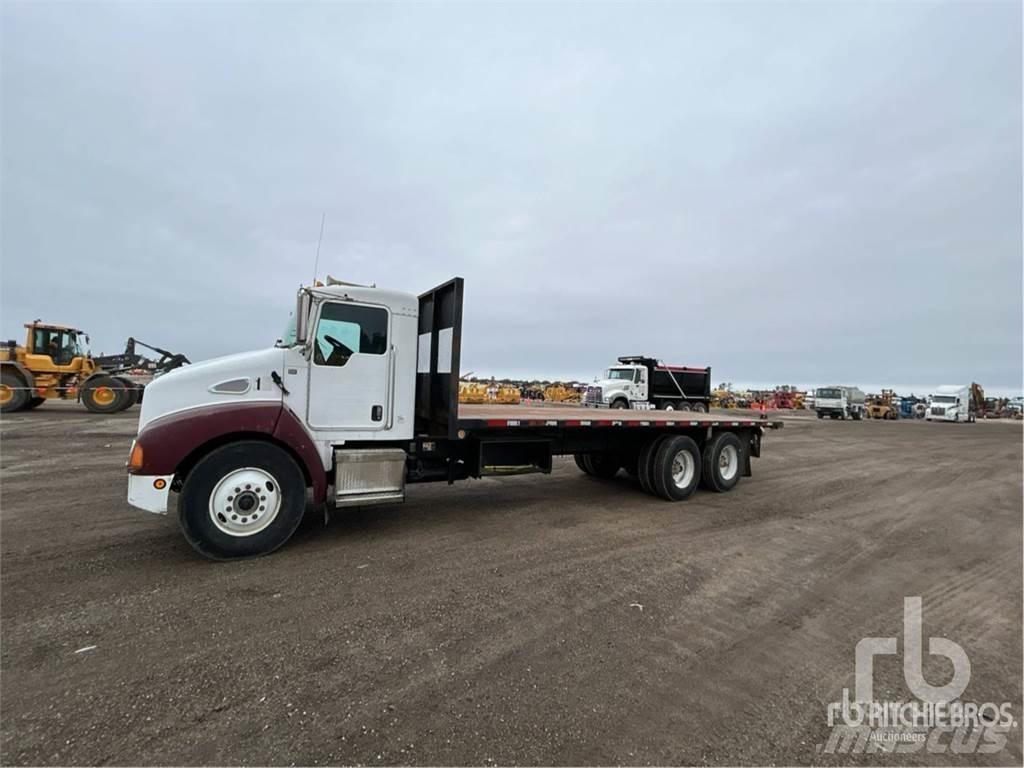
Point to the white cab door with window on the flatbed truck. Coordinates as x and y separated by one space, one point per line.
351 368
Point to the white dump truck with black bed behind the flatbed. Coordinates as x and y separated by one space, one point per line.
641 382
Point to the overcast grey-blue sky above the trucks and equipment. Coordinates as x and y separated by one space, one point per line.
789 193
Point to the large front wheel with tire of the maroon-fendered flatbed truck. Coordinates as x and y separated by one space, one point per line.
243 500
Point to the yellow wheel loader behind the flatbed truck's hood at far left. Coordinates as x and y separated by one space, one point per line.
55 364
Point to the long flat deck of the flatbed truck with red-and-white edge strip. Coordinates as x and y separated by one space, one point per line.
481 416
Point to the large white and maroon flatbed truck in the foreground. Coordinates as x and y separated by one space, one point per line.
360 400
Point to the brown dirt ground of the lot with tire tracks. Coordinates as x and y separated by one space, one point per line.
534 620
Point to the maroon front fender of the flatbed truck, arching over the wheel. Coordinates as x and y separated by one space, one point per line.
168 441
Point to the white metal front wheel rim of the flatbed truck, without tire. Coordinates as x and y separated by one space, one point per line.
245 502
